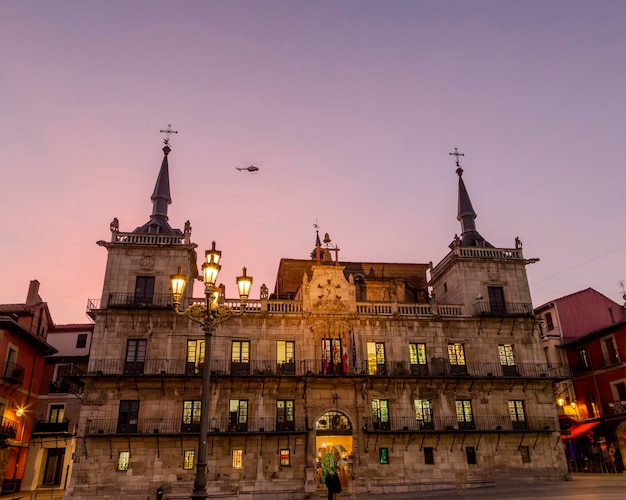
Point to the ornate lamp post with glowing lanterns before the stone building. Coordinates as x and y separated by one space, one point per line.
210 314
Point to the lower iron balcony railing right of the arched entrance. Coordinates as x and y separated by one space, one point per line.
483 423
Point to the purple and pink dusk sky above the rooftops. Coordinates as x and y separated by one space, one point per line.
350 109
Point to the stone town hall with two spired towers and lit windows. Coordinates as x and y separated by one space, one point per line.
406 377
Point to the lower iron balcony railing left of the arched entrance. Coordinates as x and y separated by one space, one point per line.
178 426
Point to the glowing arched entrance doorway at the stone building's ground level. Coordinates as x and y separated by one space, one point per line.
333 445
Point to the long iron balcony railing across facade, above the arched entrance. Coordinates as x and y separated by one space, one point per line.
436 369
